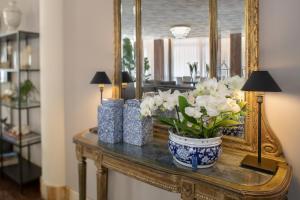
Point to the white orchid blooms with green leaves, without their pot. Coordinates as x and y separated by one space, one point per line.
201 113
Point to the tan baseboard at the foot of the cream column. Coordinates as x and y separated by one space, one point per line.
53 192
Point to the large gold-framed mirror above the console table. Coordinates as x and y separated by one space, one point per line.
135 21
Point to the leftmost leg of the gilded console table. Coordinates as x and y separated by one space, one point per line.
82 178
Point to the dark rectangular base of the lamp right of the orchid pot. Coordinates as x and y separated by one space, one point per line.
267 165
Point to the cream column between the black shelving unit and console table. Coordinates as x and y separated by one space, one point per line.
52 93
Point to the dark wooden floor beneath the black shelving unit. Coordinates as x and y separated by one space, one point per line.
11 191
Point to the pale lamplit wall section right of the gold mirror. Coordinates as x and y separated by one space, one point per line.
280 54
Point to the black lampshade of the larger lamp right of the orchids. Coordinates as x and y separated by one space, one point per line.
261 81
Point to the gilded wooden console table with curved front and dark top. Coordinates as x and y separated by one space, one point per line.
154 165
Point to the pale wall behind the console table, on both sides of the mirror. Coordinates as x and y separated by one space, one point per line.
89 47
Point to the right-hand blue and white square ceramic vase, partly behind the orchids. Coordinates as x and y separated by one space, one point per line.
137 130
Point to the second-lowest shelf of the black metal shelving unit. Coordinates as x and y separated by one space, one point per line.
27 140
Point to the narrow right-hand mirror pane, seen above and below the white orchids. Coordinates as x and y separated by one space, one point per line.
231 48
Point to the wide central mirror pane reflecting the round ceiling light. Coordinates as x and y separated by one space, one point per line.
175 37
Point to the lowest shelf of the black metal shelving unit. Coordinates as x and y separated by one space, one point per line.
30 171
